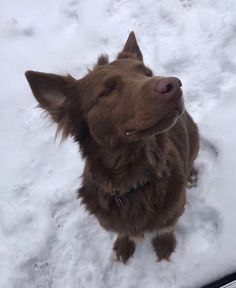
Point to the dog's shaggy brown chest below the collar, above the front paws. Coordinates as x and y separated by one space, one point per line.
136 211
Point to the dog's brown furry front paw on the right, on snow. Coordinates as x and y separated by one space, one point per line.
164 245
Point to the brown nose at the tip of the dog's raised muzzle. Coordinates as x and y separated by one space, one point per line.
168 85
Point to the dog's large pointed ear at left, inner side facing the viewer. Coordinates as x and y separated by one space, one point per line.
50 90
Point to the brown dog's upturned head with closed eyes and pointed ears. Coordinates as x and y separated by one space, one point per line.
117 102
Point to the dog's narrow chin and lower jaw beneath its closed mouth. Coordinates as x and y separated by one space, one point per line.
160 126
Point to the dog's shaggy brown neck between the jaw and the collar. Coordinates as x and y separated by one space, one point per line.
128 169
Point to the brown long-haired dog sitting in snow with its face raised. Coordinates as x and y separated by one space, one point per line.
138 142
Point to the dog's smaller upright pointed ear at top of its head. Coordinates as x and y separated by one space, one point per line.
131 49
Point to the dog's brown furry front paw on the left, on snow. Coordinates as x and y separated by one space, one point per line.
124 248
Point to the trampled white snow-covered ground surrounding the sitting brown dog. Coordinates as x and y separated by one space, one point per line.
48 239
